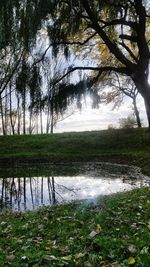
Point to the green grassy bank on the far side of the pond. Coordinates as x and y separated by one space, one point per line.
123 146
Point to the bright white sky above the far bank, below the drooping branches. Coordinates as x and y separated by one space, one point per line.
97 119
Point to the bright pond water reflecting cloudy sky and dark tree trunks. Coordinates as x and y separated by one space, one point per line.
28 193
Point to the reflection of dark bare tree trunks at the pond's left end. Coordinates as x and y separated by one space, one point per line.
26 193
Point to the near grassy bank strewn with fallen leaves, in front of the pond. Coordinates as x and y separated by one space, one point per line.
113 232
